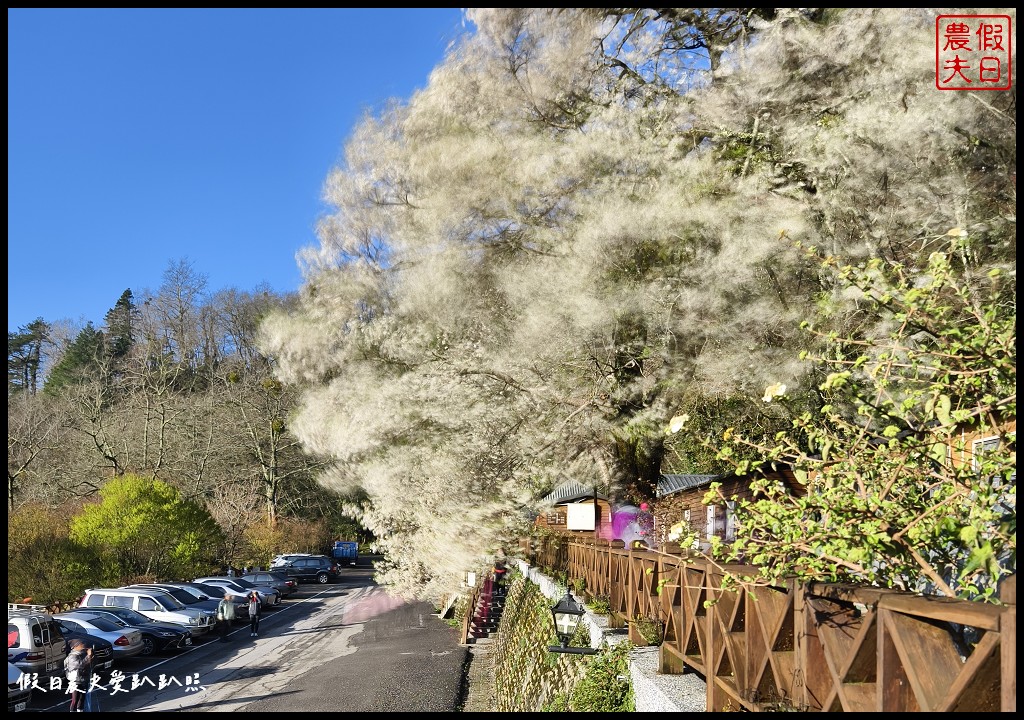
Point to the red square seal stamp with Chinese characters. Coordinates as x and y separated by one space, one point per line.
973 53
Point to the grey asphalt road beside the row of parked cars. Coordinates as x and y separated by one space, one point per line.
346 647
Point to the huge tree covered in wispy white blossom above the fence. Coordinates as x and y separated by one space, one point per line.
583 226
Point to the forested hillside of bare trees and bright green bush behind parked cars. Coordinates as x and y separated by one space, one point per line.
170 395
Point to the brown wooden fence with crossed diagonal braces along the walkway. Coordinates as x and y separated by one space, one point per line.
814 647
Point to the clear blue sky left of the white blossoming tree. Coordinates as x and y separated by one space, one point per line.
141 138
